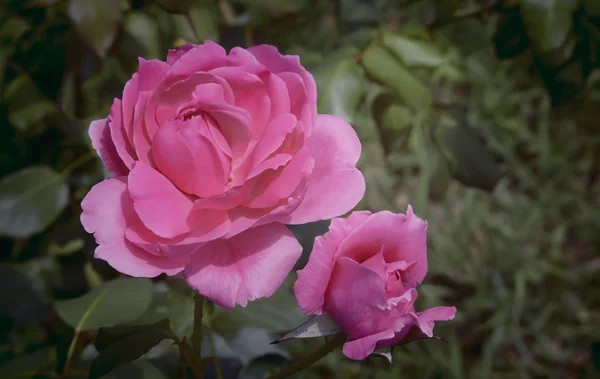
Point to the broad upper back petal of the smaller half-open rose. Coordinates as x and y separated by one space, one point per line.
404 238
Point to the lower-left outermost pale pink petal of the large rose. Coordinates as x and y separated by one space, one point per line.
107 210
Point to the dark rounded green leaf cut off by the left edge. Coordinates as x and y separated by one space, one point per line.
31 199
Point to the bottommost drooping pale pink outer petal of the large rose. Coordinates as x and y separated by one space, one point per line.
250 265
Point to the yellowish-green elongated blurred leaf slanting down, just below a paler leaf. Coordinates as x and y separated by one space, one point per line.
383 67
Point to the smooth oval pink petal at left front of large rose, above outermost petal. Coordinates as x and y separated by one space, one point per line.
161 207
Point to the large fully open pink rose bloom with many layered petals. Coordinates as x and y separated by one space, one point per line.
212 153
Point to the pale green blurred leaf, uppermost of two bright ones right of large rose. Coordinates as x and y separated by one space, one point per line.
414 53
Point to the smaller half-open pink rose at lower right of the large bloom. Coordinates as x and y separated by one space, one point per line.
364 273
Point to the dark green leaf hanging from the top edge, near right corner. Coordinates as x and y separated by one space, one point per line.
548 23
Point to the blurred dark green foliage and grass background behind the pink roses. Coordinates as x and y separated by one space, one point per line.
484 115
